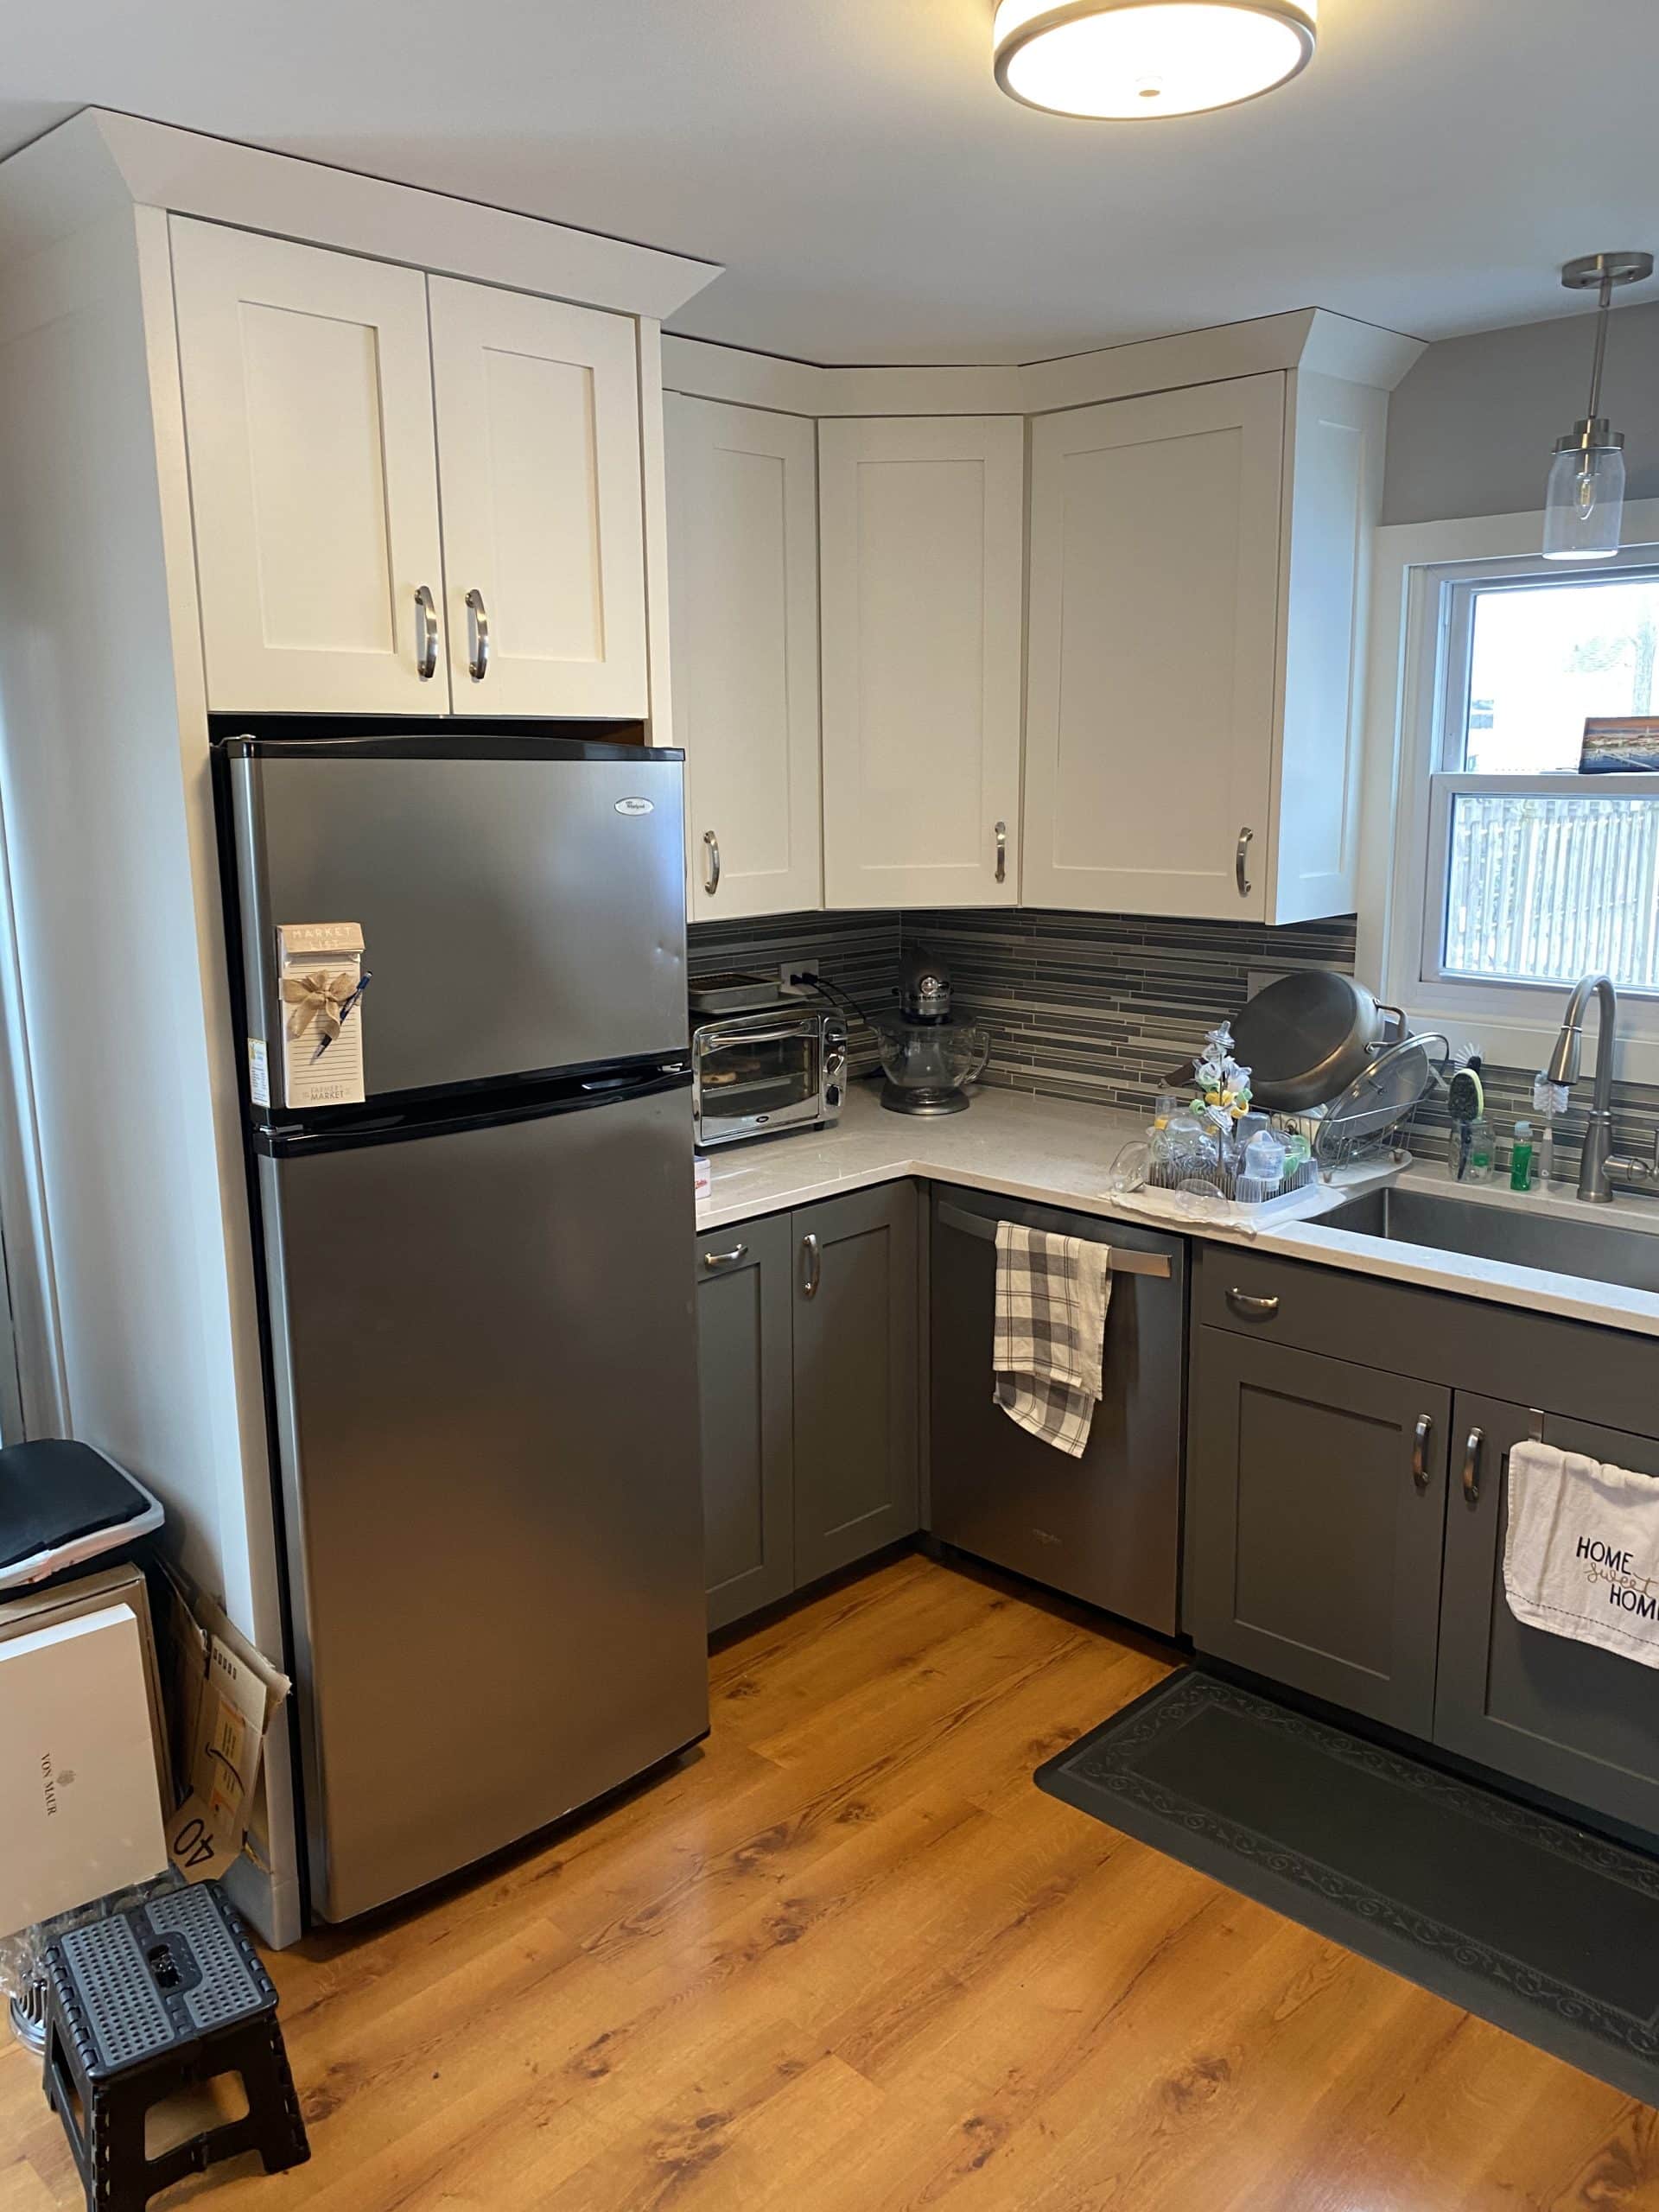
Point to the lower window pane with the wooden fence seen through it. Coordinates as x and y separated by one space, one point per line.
1547 890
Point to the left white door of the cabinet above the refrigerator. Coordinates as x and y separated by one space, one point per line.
313 477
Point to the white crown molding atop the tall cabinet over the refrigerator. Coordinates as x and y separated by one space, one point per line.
101 163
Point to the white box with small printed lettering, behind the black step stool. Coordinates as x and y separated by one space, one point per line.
81 1804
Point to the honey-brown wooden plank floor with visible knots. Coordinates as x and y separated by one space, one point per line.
848 1961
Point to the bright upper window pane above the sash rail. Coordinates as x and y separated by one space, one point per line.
1543 658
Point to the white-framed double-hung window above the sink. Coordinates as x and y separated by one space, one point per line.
1543 857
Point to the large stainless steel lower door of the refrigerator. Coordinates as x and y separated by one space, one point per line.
488 1419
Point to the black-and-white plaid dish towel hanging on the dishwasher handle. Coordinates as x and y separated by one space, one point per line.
1050 1333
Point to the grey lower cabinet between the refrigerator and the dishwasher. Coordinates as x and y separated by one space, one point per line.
808 1357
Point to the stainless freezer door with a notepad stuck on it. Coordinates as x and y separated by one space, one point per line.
519 915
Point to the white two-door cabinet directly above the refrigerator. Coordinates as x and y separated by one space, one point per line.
410 494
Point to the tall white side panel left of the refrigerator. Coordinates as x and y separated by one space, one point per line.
101 831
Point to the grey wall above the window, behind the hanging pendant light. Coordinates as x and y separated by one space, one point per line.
1472 426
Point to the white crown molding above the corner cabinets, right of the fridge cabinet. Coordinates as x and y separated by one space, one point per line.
1306 340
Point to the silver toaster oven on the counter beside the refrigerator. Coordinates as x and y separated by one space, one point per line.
766 1074
